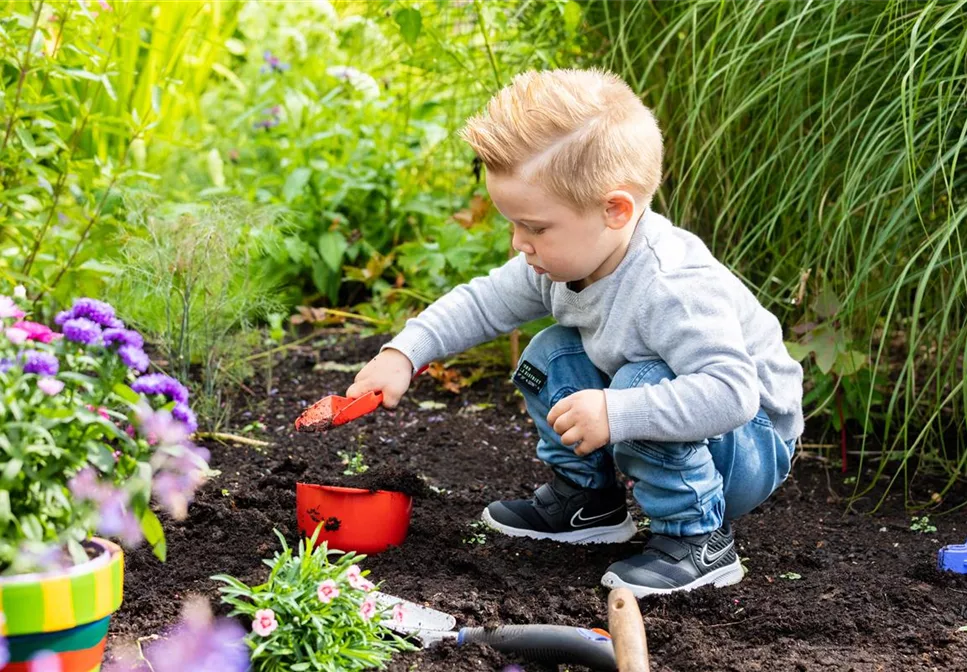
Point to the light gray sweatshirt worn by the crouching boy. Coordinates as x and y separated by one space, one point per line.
668 299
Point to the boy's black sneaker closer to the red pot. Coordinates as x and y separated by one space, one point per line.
565 512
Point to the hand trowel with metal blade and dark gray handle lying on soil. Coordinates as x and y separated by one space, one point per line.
542 642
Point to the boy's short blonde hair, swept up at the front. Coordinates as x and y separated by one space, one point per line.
577 133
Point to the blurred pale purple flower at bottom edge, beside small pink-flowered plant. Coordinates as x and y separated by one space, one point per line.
199 643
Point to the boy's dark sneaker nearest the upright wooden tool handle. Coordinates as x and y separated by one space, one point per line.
670 564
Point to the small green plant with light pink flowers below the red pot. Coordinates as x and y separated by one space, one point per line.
317 611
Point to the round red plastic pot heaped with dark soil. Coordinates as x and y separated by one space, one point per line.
352 519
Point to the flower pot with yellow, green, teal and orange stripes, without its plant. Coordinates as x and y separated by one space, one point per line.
63 613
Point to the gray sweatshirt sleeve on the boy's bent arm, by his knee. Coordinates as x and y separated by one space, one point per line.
694 327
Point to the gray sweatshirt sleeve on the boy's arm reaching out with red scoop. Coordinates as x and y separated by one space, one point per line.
473 313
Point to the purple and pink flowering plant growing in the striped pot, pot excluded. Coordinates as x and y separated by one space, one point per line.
86 441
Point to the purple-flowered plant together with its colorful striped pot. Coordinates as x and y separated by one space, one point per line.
86 442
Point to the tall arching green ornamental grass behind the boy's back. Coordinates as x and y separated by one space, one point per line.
826 136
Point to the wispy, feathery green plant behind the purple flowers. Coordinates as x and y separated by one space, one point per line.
192 280
